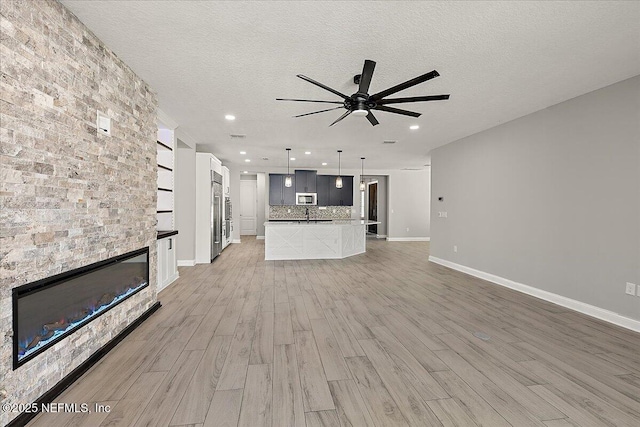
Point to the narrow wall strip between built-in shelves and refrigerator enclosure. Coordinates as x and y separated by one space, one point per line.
185 200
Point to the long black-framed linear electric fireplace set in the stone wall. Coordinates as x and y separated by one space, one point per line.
48 310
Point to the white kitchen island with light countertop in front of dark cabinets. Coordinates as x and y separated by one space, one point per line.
314 240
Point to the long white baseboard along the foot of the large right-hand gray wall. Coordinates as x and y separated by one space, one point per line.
589 310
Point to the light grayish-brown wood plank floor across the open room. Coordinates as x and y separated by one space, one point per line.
380 339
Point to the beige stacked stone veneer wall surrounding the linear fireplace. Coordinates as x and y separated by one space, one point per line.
68 197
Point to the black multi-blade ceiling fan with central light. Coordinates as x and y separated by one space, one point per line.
361 103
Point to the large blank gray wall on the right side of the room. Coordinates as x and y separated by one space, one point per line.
550 200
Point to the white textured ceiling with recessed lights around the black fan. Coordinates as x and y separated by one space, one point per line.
498 60
